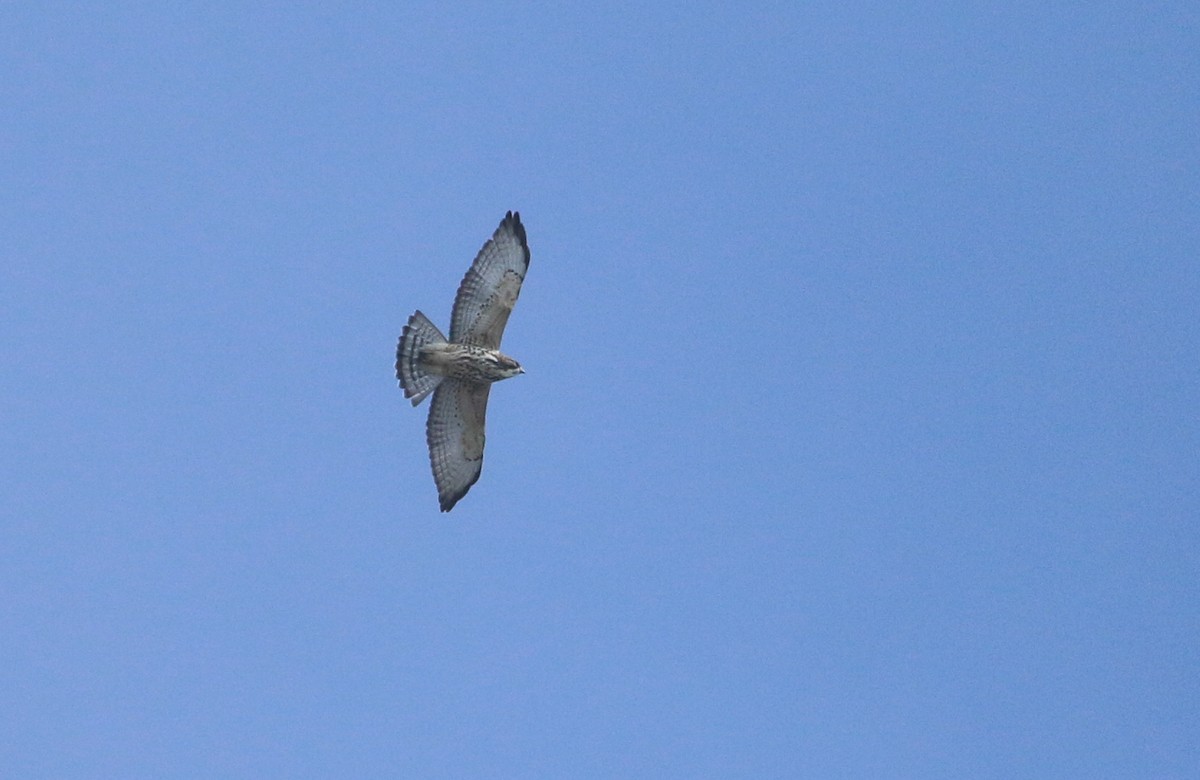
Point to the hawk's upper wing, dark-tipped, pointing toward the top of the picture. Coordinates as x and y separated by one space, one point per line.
491 286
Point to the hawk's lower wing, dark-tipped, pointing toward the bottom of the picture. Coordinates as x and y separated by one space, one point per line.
455 433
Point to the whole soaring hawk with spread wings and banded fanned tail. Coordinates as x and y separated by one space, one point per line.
460 371
